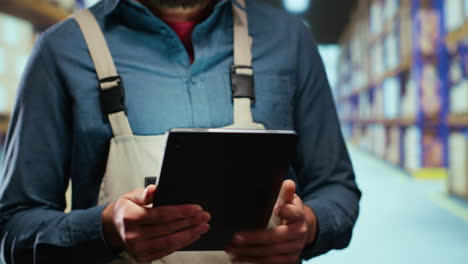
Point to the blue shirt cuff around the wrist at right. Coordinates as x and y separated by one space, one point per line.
324 240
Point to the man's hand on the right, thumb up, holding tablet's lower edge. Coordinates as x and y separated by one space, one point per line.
281 244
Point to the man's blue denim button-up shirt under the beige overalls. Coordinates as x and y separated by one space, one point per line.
58 131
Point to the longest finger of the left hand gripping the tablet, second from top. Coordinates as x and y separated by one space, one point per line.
144 232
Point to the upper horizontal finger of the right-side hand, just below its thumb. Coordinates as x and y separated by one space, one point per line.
281 233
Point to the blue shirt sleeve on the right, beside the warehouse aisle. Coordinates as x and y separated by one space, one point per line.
322 165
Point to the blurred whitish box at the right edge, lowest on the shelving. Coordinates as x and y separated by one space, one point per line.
458 164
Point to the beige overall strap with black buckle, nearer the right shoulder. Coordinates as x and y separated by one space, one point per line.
242 74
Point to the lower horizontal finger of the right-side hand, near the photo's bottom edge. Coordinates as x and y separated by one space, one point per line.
286 248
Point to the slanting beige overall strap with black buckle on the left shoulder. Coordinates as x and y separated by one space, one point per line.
112 92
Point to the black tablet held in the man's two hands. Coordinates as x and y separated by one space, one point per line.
235 175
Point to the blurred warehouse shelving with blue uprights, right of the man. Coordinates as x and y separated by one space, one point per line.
424 114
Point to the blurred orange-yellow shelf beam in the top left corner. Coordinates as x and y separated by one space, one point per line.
41 13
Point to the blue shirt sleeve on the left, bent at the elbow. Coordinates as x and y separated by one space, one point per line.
33 225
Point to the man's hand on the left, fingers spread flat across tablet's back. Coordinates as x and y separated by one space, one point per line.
147 233
